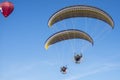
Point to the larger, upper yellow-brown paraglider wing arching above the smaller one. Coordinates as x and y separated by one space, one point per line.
80 11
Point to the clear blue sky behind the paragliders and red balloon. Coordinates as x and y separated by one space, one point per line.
24 32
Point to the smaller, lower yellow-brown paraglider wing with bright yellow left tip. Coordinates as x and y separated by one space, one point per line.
66 35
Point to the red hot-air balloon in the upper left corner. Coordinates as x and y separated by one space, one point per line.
6 8
